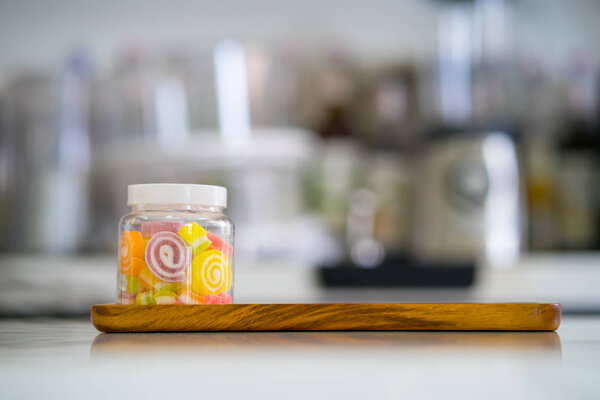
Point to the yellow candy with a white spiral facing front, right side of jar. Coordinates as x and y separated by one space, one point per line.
211 273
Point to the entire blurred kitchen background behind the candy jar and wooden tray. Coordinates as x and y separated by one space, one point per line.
413 150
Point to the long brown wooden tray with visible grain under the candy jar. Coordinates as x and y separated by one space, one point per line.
327 317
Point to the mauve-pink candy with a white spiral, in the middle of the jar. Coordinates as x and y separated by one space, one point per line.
167 257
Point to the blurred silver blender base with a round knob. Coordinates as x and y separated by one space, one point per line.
469 200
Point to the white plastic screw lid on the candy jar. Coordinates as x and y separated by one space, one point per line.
177 193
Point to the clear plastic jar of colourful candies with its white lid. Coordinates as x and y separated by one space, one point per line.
176 246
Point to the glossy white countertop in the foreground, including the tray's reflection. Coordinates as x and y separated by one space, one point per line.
63 359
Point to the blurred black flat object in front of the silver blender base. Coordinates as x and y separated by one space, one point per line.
399 273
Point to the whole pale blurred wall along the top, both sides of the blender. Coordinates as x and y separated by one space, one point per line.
38 33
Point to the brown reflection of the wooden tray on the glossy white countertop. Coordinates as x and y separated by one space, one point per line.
124 344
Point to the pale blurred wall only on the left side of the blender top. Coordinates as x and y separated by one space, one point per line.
39 33
